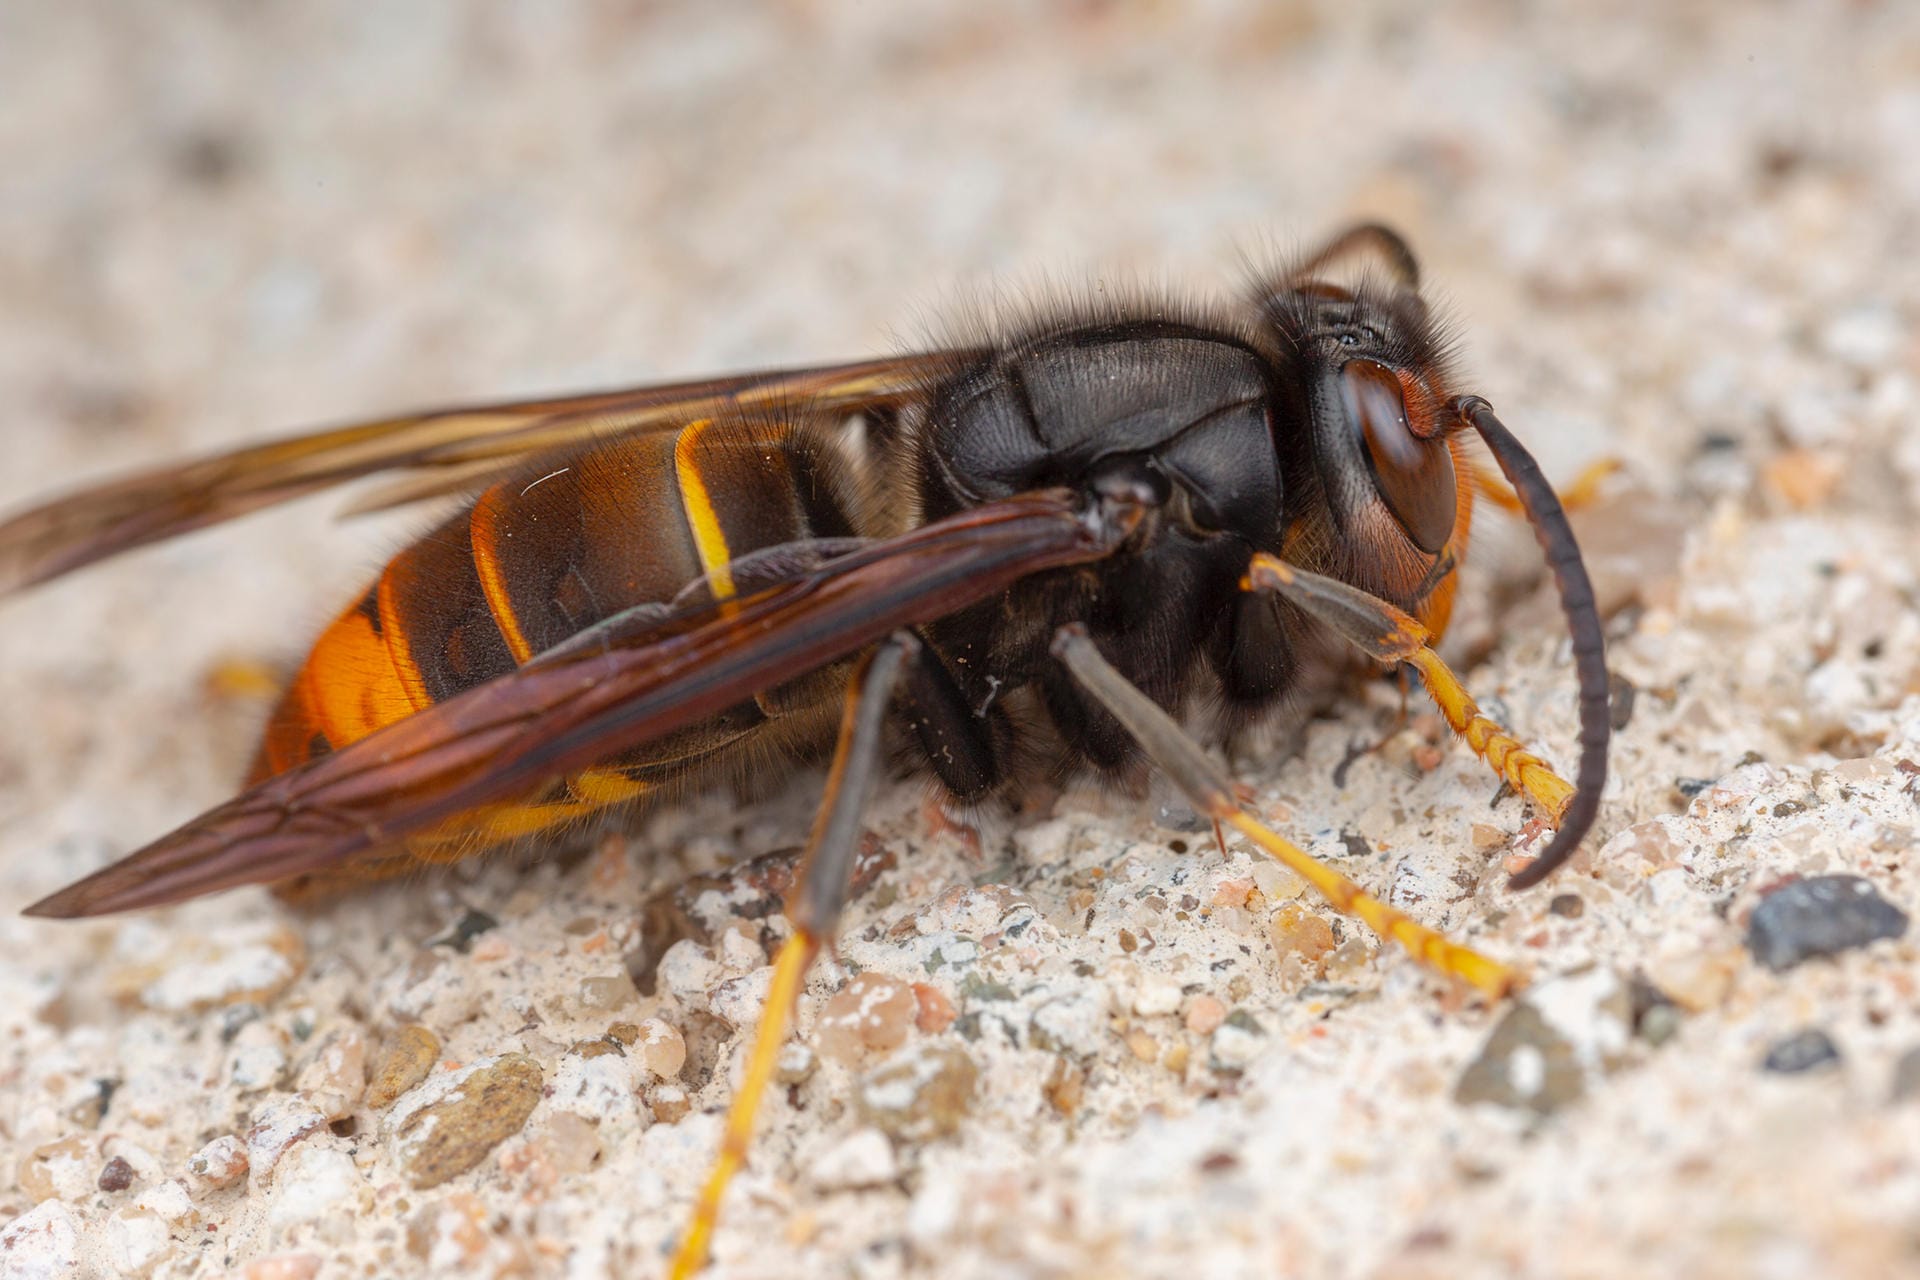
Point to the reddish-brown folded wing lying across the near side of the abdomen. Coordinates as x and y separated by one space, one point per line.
587 701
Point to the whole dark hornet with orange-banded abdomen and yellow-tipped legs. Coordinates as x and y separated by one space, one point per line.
1061 536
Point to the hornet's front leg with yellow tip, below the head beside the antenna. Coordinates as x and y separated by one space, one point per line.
1389 636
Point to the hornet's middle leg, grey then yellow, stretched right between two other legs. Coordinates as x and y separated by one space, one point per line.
1211 790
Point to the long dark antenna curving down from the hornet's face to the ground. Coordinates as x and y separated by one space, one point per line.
1583 623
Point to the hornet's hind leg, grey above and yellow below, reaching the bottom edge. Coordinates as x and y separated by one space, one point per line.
821 893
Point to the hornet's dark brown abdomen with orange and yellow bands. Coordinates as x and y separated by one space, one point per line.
535 561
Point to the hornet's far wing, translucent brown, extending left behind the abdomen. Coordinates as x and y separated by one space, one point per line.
448 450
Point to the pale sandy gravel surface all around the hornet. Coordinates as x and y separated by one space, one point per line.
1080 1043
